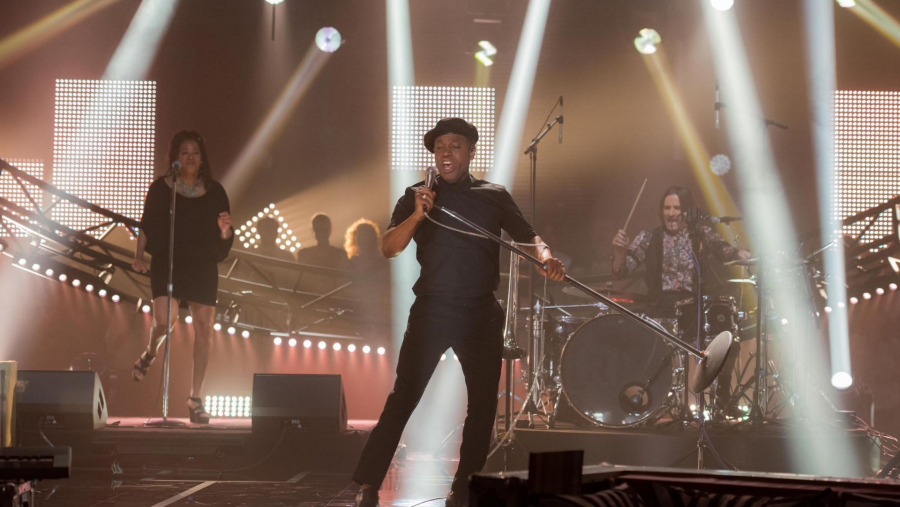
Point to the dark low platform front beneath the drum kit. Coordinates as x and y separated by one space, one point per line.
836 453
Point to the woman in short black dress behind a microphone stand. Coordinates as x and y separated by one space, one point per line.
203 238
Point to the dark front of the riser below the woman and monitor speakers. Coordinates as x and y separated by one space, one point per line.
224 447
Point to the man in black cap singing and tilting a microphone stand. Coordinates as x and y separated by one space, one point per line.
455 306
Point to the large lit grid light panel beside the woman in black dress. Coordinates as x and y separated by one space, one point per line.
103 143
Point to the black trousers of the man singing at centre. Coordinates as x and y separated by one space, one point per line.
474 330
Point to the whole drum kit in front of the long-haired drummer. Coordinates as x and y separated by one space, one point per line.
614 372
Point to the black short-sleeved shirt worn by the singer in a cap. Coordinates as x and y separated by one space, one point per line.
458 265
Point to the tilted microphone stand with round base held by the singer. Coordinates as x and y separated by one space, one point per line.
711 360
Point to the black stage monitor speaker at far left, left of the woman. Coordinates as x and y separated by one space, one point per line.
60 399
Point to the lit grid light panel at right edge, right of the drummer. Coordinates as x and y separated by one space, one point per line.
867 157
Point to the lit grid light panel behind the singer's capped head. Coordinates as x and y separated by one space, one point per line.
416 109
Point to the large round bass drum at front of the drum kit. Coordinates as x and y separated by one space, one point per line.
617 373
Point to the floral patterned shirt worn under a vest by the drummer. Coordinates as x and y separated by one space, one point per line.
678 270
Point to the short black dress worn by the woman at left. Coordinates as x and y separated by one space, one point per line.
199 246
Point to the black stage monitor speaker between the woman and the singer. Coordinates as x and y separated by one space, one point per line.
310 402
